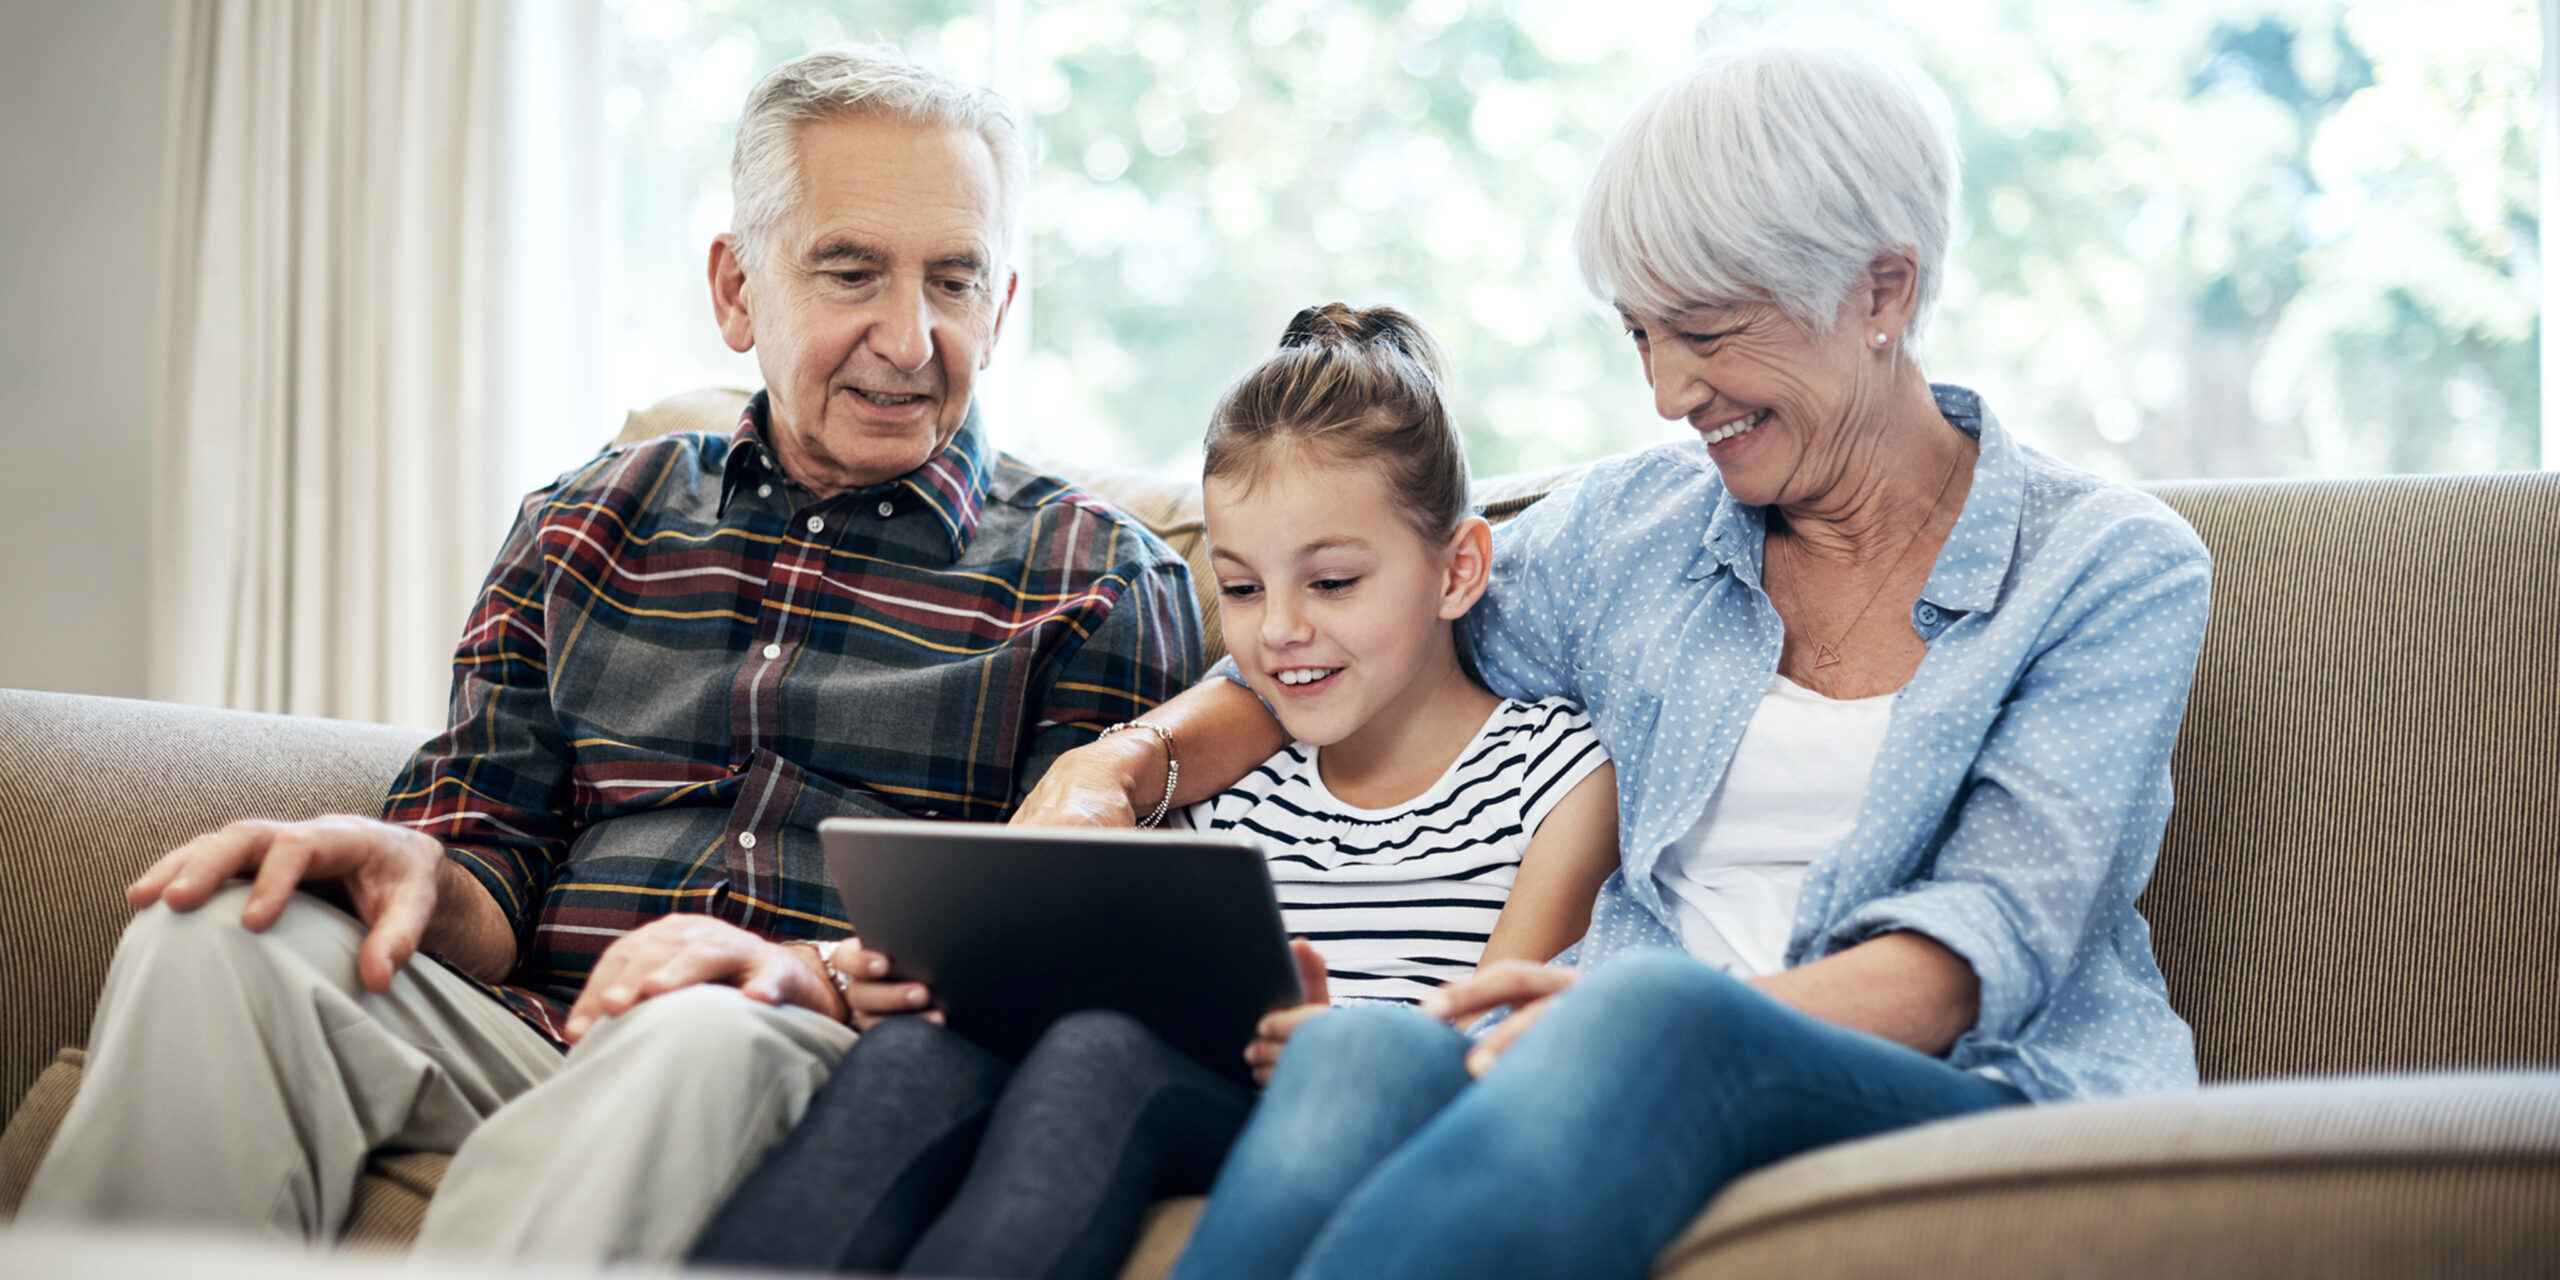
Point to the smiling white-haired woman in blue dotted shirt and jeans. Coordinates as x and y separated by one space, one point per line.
1891 700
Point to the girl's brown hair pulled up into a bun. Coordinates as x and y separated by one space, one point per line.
1350 385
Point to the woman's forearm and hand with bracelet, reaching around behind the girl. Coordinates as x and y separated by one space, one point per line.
1220 731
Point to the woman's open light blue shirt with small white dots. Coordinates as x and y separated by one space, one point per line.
2019 803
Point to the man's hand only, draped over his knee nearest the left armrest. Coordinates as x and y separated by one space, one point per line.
390 879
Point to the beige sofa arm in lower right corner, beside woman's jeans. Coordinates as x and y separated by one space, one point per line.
2339 1179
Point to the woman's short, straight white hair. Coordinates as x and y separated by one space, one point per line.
1773 173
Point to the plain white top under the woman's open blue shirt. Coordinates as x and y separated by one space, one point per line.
1791 792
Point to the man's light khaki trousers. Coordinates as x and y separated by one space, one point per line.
242 1079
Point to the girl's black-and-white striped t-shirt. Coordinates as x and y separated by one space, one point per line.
1404 900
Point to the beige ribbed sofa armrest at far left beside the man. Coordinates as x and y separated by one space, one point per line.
96 790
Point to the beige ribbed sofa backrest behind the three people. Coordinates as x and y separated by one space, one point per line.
2364 861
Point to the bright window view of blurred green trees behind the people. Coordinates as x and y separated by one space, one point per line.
2200 239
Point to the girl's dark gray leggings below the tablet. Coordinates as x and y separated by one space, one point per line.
931 1156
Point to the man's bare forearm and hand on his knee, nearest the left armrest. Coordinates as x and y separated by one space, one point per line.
396 879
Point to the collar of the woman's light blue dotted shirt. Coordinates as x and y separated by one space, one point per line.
1978 552
